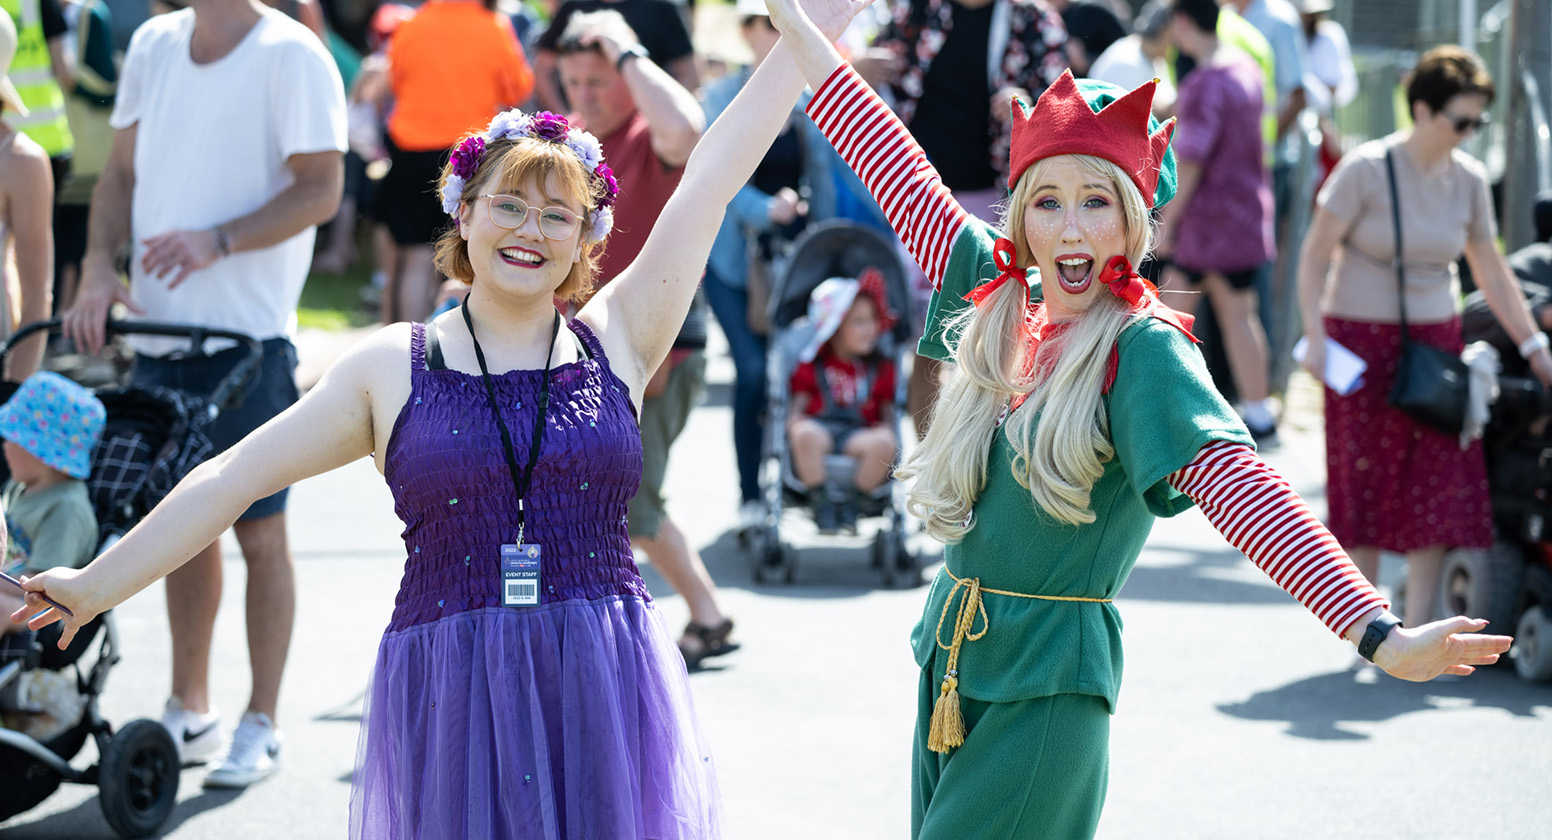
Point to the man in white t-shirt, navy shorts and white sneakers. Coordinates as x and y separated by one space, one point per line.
227 153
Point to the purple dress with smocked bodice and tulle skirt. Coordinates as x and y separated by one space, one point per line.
570 720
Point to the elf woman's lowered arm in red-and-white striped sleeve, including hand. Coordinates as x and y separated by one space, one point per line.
1258 513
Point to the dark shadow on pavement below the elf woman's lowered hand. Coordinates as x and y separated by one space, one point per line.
1328 706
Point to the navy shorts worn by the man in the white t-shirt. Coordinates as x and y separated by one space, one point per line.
268 395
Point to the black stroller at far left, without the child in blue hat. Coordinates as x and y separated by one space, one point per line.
150 442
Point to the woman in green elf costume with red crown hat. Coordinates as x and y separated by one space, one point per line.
1081 411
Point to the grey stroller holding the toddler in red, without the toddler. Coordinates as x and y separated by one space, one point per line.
830 249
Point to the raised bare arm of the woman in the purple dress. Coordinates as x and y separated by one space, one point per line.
640 313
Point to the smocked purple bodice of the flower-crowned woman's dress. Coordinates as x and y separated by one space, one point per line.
452 490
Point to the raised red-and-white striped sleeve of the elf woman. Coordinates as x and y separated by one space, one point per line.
879 148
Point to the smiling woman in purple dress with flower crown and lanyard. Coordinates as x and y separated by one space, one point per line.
527 686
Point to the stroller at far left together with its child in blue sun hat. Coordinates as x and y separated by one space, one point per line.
131 446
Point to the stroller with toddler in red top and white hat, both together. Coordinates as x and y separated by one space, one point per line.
833 434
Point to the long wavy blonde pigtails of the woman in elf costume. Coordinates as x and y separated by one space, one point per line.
1062 457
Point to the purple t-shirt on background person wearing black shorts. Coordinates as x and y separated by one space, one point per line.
1228 226
